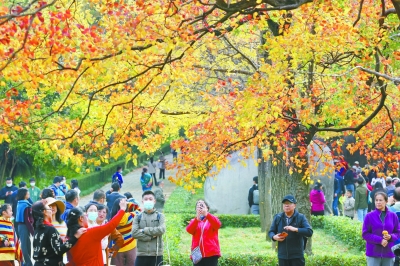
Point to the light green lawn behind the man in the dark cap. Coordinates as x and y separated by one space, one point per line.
252 241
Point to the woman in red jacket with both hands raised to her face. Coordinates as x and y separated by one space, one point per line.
204 230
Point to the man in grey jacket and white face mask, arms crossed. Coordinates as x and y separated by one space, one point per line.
148 228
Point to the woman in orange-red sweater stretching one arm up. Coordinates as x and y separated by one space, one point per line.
87 250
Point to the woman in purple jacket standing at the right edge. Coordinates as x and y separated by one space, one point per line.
380 231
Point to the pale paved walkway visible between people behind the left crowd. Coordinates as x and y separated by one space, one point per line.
132 184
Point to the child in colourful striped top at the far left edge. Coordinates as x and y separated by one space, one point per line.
7 247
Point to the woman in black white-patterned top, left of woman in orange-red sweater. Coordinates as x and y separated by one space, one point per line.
48 248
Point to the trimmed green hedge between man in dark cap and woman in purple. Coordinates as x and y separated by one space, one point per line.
343 228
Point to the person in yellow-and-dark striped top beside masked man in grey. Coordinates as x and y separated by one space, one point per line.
127 253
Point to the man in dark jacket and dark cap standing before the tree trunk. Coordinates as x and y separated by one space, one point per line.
296 227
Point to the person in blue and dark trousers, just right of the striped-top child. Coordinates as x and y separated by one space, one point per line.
24 222
